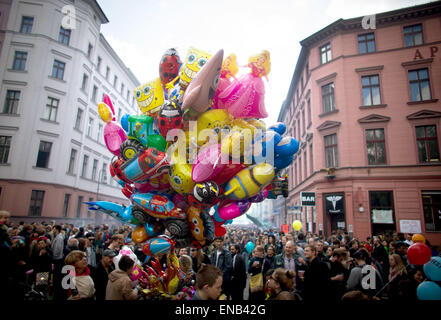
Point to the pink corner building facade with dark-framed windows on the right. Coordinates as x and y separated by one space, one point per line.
364 104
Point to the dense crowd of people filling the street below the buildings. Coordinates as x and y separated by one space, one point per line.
245 264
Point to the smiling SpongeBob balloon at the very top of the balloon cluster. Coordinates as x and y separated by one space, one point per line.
194 61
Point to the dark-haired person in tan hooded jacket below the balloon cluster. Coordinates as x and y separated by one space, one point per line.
119 286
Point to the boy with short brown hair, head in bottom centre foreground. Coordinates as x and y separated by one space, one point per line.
208 283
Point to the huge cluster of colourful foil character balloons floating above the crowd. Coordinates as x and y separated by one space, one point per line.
198 156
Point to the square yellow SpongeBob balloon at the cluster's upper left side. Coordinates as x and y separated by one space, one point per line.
150 97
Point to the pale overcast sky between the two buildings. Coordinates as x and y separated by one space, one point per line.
141 31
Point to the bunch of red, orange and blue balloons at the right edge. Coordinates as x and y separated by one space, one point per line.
420 254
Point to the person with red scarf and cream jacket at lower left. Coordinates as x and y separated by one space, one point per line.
84 286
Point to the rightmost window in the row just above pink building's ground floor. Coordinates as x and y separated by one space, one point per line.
427 142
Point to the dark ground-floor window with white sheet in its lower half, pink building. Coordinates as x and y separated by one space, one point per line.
382 211
